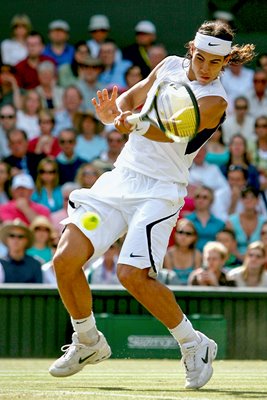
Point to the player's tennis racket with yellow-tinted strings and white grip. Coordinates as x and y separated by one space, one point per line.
172 108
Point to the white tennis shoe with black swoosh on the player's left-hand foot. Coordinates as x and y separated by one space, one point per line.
77 355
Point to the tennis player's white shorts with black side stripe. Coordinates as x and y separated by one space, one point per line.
126 201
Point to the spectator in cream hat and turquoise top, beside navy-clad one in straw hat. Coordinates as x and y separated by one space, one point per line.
42 230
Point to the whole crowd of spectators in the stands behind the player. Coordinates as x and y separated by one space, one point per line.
51 143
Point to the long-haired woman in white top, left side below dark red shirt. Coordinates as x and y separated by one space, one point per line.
27 117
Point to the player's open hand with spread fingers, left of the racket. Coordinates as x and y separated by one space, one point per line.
105 105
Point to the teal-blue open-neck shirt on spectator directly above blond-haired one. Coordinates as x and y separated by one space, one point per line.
205 233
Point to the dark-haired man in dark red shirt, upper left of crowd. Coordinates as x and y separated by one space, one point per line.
26 70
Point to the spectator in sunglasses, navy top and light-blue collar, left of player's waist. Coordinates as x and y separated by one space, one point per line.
68 162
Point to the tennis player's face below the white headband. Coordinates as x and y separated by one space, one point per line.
205 67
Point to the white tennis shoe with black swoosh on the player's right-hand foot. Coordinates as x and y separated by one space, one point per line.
197 359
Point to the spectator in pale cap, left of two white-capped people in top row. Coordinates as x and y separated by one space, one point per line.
99 28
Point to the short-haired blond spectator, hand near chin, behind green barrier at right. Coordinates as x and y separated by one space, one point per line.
211 274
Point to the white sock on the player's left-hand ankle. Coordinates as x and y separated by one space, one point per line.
86 329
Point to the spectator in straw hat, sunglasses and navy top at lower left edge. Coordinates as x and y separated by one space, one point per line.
17 266
